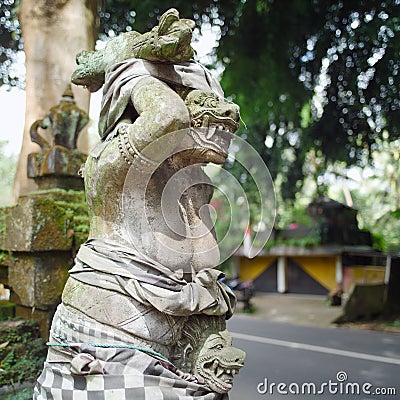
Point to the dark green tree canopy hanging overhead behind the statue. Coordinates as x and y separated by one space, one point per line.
316 76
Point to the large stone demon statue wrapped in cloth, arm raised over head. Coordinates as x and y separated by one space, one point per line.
145 288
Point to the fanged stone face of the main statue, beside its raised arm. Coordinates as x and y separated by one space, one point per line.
213 121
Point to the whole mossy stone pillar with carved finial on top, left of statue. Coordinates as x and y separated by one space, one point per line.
40 234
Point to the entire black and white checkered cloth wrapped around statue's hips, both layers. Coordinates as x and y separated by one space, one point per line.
107 373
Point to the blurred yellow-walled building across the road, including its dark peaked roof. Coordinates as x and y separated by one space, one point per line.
344 255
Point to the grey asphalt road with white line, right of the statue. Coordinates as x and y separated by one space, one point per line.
335 362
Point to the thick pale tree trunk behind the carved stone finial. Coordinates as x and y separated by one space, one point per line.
54 31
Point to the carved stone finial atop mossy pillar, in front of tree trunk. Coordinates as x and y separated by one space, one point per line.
58 164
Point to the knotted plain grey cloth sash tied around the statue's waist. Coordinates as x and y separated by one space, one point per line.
120 269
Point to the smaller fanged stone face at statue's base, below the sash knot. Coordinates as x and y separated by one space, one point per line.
218 361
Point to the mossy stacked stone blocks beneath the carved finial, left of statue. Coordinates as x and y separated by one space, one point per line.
39 237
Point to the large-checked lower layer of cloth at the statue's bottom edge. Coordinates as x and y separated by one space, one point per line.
128 374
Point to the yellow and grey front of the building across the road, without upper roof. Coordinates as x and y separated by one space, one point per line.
314 270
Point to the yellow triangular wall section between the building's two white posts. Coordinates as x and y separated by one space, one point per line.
322 269
